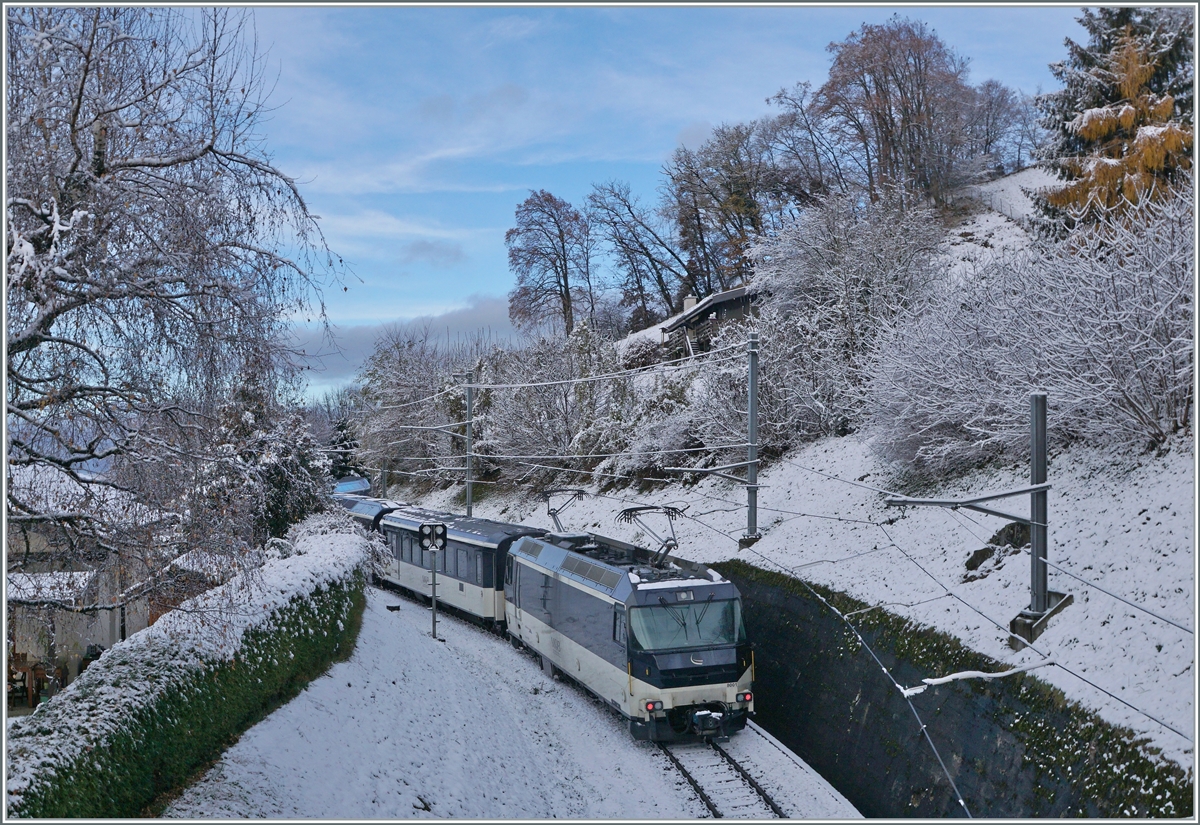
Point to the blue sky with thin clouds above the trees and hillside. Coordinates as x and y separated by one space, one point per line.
416 131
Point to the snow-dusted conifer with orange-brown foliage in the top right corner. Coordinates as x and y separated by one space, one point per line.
1123 125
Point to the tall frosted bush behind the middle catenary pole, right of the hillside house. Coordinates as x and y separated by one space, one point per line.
830 285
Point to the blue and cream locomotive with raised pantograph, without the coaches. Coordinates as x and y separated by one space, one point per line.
661 641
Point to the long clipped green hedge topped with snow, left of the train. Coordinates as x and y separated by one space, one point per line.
153 709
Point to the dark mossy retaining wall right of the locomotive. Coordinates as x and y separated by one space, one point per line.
1015 748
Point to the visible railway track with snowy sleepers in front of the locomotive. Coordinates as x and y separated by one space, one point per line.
725 788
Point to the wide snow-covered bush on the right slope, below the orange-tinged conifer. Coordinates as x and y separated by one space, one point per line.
1102 322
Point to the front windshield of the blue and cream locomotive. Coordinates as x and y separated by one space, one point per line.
692 625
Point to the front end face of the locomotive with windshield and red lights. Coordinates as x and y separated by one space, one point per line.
691 666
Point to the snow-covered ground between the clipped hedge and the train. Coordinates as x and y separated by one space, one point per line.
469 727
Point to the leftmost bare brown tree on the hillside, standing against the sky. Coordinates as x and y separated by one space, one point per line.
550 251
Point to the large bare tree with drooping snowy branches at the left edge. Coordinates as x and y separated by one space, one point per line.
153 257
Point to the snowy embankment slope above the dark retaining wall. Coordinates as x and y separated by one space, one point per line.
1123 522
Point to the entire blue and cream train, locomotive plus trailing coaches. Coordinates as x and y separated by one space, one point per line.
658 639
